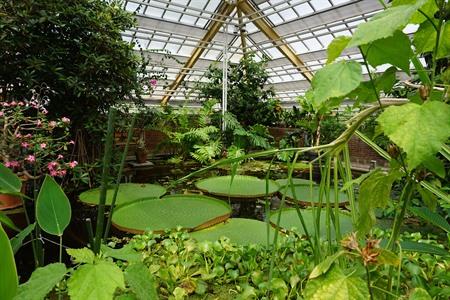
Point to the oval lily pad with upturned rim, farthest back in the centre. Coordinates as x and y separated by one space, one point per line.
241 187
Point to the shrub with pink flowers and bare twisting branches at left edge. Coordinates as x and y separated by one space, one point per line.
31 144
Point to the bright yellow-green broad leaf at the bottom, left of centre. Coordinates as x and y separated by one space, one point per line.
96 281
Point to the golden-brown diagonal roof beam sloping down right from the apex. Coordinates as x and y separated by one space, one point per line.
260 22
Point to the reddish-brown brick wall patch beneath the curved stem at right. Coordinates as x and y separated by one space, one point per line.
361 153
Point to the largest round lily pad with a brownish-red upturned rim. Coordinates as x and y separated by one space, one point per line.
191 212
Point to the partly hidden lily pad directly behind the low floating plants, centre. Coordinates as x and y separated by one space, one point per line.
239 231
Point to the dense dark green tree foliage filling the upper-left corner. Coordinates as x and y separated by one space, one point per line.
76 48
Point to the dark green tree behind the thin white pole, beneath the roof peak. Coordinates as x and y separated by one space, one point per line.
249 98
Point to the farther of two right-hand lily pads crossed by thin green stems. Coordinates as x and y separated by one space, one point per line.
303 194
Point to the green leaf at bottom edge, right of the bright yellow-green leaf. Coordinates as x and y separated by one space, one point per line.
141 282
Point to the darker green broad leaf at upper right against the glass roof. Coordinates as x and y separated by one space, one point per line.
394 50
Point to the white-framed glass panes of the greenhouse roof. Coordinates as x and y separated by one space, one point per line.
306 26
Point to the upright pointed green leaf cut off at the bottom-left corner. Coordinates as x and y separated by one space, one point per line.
8 272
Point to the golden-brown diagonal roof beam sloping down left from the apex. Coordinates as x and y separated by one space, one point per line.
222 14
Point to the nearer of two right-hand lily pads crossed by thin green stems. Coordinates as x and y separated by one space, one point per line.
290 219
